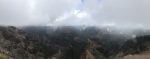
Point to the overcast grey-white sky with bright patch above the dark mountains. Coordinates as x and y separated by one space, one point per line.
121 13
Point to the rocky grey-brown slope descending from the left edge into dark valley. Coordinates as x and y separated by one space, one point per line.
14 43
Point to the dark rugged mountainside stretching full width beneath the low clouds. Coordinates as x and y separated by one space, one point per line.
67 43
